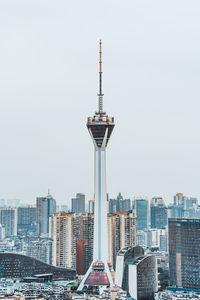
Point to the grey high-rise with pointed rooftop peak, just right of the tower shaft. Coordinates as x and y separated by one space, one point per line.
119 204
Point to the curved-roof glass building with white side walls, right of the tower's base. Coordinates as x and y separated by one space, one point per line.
136 273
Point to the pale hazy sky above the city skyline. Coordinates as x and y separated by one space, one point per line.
49 84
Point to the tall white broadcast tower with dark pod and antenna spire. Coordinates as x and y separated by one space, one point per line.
100 128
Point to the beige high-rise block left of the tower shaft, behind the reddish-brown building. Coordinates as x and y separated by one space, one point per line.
66 229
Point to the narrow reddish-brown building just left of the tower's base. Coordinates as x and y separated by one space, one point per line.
82 258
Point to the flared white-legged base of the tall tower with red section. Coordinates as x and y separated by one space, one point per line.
97 278
